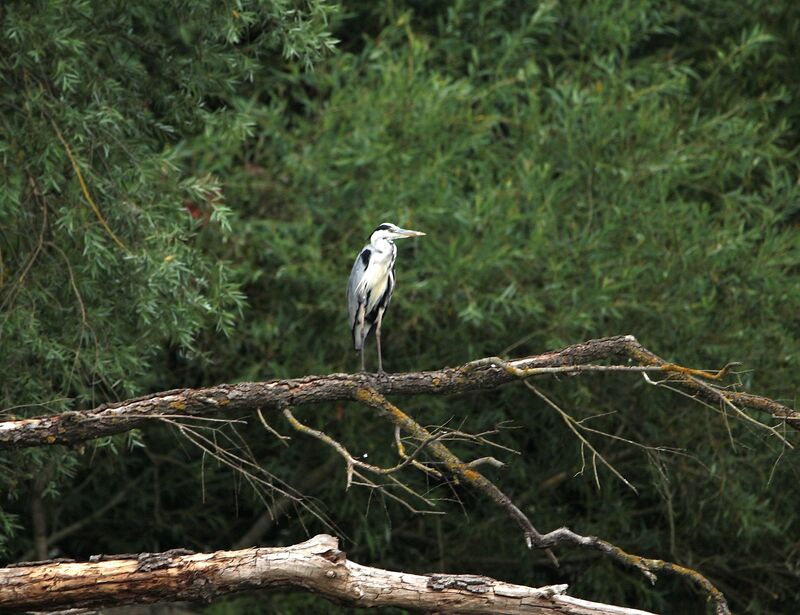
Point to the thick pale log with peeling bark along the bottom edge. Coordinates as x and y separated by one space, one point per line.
316 565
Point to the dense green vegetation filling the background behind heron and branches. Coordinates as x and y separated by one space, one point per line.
581 169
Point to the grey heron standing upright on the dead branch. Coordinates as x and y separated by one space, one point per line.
371 284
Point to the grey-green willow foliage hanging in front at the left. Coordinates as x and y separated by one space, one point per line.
101 266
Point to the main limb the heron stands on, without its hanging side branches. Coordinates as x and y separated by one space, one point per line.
118 417
